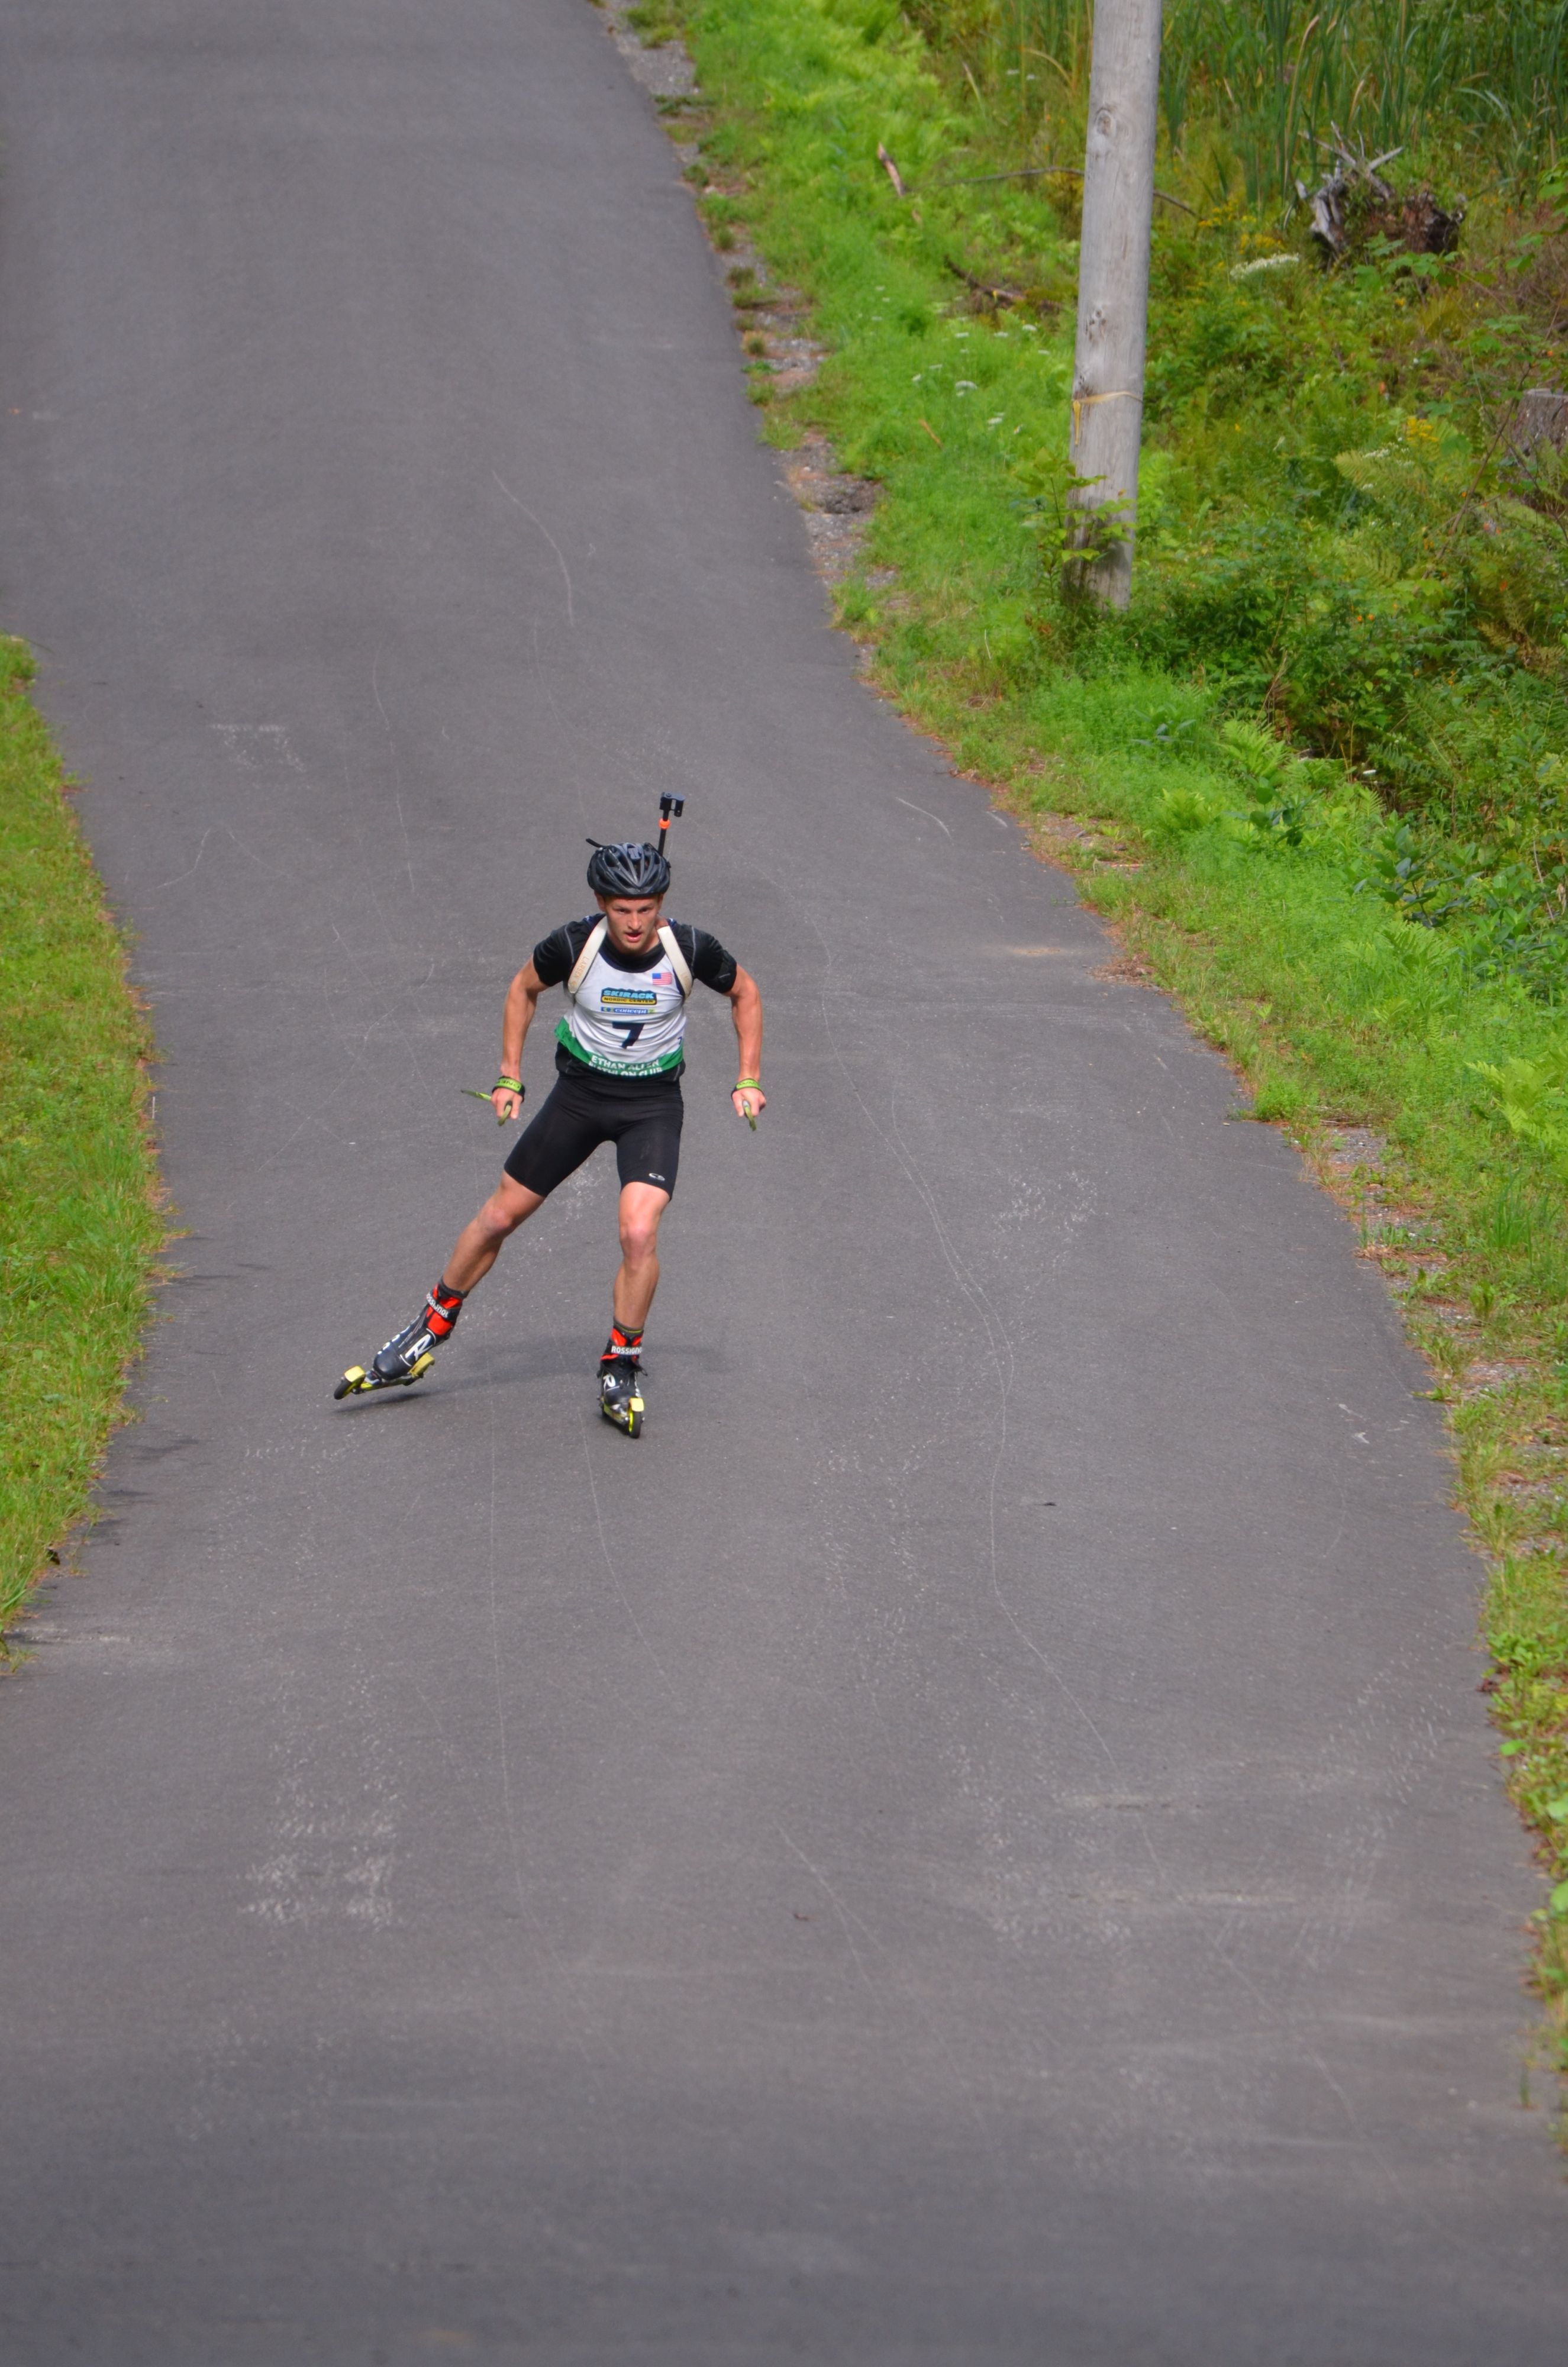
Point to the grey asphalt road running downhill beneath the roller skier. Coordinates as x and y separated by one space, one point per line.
977 1838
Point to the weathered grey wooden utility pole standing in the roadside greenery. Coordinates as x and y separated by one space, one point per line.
1114 290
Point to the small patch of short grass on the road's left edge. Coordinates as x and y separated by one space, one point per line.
79 1223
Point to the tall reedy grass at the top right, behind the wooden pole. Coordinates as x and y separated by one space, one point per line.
1252 86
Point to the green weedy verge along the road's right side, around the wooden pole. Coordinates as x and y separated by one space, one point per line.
1318 775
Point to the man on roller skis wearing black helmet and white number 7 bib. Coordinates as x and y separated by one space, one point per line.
619 1062
